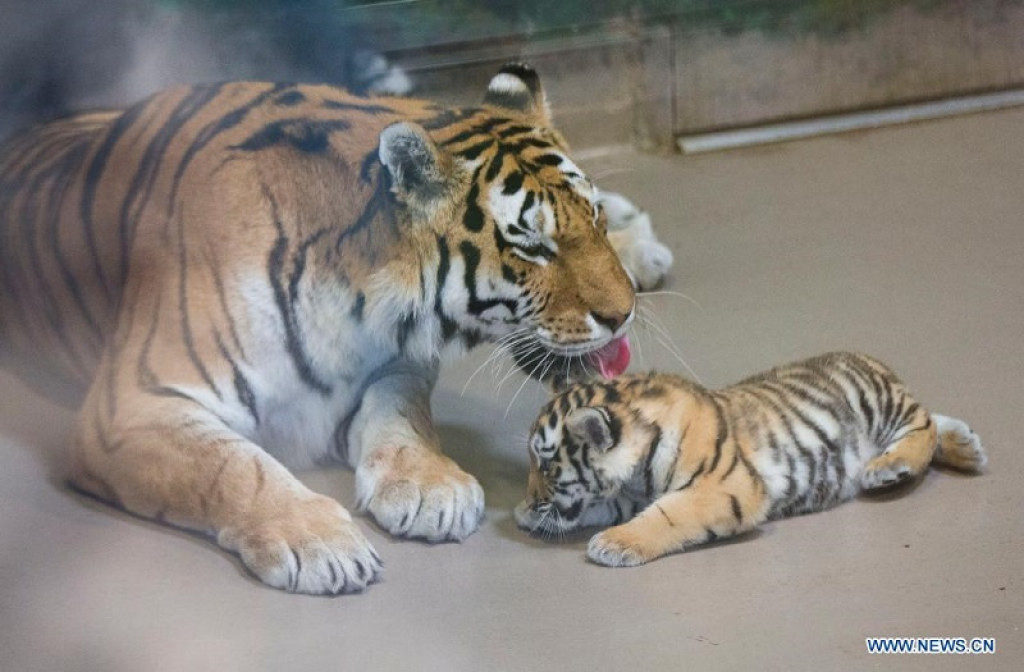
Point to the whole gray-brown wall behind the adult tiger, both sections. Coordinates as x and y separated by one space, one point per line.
647 82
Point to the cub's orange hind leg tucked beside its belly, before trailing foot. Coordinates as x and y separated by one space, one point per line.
907 456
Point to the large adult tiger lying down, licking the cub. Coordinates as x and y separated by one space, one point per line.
246 276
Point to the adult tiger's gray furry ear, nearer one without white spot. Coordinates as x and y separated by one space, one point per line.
420 173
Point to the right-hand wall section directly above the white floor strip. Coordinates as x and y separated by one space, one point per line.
904 57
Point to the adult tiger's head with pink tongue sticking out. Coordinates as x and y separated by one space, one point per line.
517 230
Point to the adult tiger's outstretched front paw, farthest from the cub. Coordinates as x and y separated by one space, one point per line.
311 545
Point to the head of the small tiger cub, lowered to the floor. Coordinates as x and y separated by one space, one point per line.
586 460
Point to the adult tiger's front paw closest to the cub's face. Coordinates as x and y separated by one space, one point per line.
417 493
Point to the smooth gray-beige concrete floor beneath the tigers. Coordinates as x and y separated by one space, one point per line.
906 243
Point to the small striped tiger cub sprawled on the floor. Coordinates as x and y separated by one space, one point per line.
679 466
